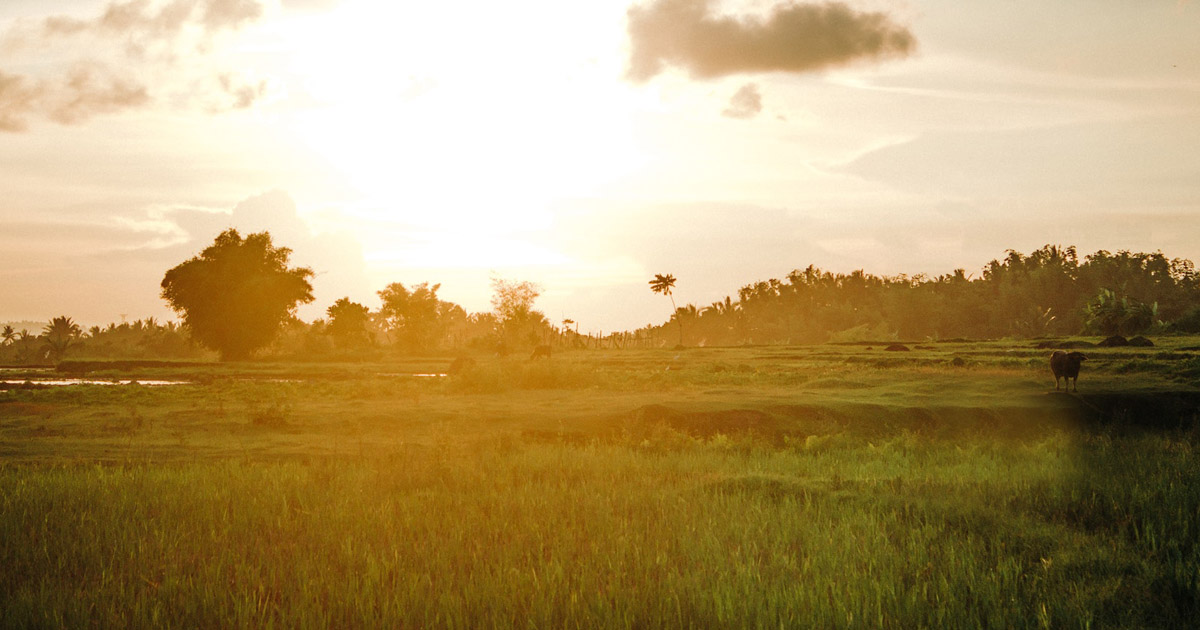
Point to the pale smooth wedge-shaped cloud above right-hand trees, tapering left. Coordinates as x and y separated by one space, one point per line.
1144 164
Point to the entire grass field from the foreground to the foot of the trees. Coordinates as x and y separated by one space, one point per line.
825 487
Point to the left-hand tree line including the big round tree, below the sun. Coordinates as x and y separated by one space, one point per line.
238 298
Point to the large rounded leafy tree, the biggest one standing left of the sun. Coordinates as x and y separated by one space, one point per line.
237 293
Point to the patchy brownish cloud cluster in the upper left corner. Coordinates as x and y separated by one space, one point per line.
129 44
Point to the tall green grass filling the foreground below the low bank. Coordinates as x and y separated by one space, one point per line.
716 533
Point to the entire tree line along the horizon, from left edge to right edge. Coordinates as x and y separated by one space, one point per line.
238 298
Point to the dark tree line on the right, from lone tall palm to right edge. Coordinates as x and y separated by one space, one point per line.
1051 292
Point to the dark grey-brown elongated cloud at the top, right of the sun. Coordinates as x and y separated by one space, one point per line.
794 38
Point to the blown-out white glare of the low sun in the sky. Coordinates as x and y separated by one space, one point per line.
472 137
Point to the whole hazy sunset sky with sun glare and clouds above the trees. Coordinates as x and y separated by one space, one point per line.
585 147
